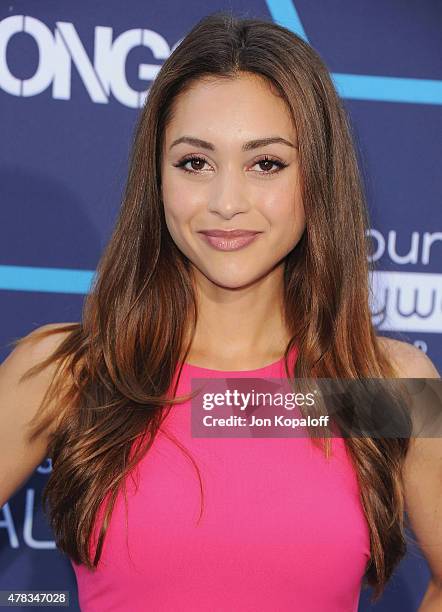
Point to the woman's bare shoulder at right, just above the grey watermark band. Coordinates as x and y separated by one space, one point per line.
409 360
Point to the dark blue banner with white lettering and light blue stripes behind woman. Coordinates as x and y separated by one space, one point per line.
73 76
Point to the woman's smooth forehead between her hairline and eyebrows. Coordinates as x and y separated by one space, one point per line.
242 106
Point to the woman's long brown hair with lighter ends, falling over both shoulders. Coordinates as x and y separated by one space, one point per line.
117 364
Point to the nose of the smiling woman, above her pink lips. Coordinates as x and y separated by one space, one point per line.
229 195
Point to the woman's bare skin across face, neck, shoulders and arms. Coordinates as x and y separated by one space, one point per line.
239 292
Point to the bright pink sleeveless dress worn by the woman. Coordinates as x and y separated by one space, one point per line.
282 528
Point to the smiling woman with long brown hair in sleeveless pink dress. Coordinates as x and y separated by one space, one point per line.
242 131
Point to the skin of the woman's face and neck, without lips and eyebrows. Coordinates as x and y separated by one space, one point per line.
239 292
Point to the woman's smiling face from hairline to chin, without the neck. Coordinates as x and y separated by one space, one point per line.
223 180
